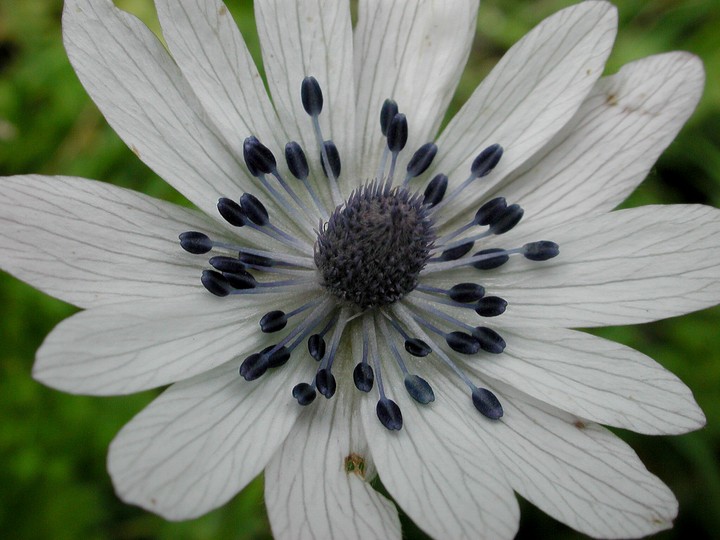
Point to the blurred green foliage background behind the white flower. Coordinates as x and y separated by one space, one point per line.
53 482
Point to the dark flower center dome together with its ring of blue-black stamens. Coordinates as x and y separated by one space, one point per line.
371 267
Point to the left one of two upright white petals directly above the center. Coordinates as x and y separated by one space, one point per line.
302 38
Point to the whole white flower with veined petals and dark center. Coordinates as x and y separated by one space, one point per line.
572 146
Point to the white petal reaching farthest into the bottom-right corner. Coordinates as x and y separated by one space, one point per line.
578 472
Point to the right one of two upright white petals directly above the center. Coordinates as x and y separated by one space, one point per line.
413 52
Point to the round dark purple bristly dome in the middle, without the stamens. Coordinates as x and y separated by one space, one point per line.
371 250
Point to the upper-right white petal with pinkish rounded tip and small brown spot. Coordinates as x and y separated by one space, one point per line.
611 143
